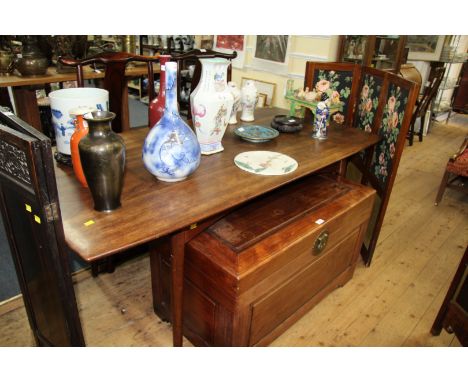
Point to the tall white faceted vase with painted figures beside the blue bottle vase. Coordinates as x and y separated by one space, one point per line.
211 103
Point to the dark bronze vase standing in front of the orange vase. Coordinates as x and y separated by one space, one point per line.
102 154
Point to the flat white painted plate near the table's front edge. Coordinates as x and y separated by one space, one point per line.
265 162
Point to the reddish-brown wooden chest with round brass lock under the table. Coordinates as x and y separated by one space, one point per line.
253 273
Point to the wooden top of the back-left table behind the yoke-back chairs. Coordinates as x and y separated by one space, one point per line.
53 76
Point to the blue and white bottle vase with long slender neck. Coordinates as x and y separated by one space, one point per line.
171 151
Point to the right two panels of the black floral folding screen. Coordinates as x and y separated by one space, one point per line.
384 106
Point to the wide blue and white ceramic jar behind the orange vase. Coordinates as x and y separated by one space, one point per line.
61 102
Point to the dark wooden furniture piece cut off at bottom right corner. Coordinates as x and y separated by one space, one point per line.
453 314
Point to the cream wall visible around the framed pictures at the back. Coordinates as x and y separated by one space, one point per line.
300 50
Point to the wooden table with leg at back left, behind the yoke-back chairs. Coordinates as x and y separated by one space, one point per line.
24 89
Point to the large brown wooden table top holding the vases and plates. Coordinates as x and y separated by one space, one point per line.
152 208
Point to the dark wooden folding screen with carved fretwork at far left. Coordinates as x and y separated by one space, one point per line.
31 214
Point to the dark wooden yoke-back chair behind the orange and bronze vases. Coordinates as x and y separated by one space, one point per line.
115 81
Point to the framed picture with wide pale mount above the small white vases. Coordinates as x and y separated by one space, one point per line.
271 53
